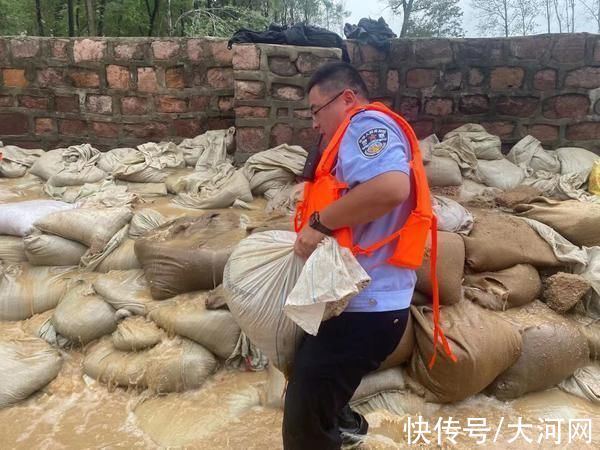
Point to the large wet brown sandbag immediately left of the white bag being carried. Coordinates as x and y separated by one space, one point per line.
188 254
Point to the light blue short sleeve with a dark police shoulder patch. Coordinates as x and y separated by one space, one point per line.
372 147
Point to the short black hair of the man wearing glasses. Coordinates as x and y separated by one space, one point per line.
336 76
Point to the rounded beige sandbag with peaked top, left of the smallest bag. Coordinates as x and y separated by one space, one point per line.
82 315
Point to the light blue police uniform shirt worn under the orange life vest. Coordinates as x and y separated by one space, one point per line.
373 145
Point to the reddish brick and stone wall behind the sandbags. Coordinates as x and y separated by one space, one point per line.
119 91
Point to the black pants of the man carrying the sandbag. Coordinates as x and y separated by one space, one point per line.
327 370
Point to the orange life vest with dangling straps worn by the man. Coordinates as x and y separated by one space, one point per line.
411 238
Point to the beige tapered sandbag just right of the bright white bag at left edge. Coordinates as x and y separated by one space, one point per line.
93 227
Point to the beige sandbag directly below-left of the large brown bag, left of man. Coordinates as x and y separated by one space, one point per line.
125 289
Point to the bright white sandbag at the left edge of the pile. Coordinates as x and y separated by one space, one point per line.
18 218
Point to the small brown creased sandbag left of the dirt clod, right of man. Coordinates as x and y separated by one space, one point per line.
504 289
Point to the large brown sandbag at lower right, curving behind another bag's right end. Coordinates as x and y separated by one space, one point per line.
552 350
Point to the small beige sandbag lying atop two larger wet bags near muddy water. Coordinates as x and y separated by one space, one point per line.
136 333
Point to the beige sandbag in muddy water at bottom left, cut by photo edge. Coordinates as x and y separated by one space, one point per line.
26 366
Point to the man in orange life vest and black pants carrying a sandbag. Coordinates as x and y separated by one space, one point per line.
370 160
